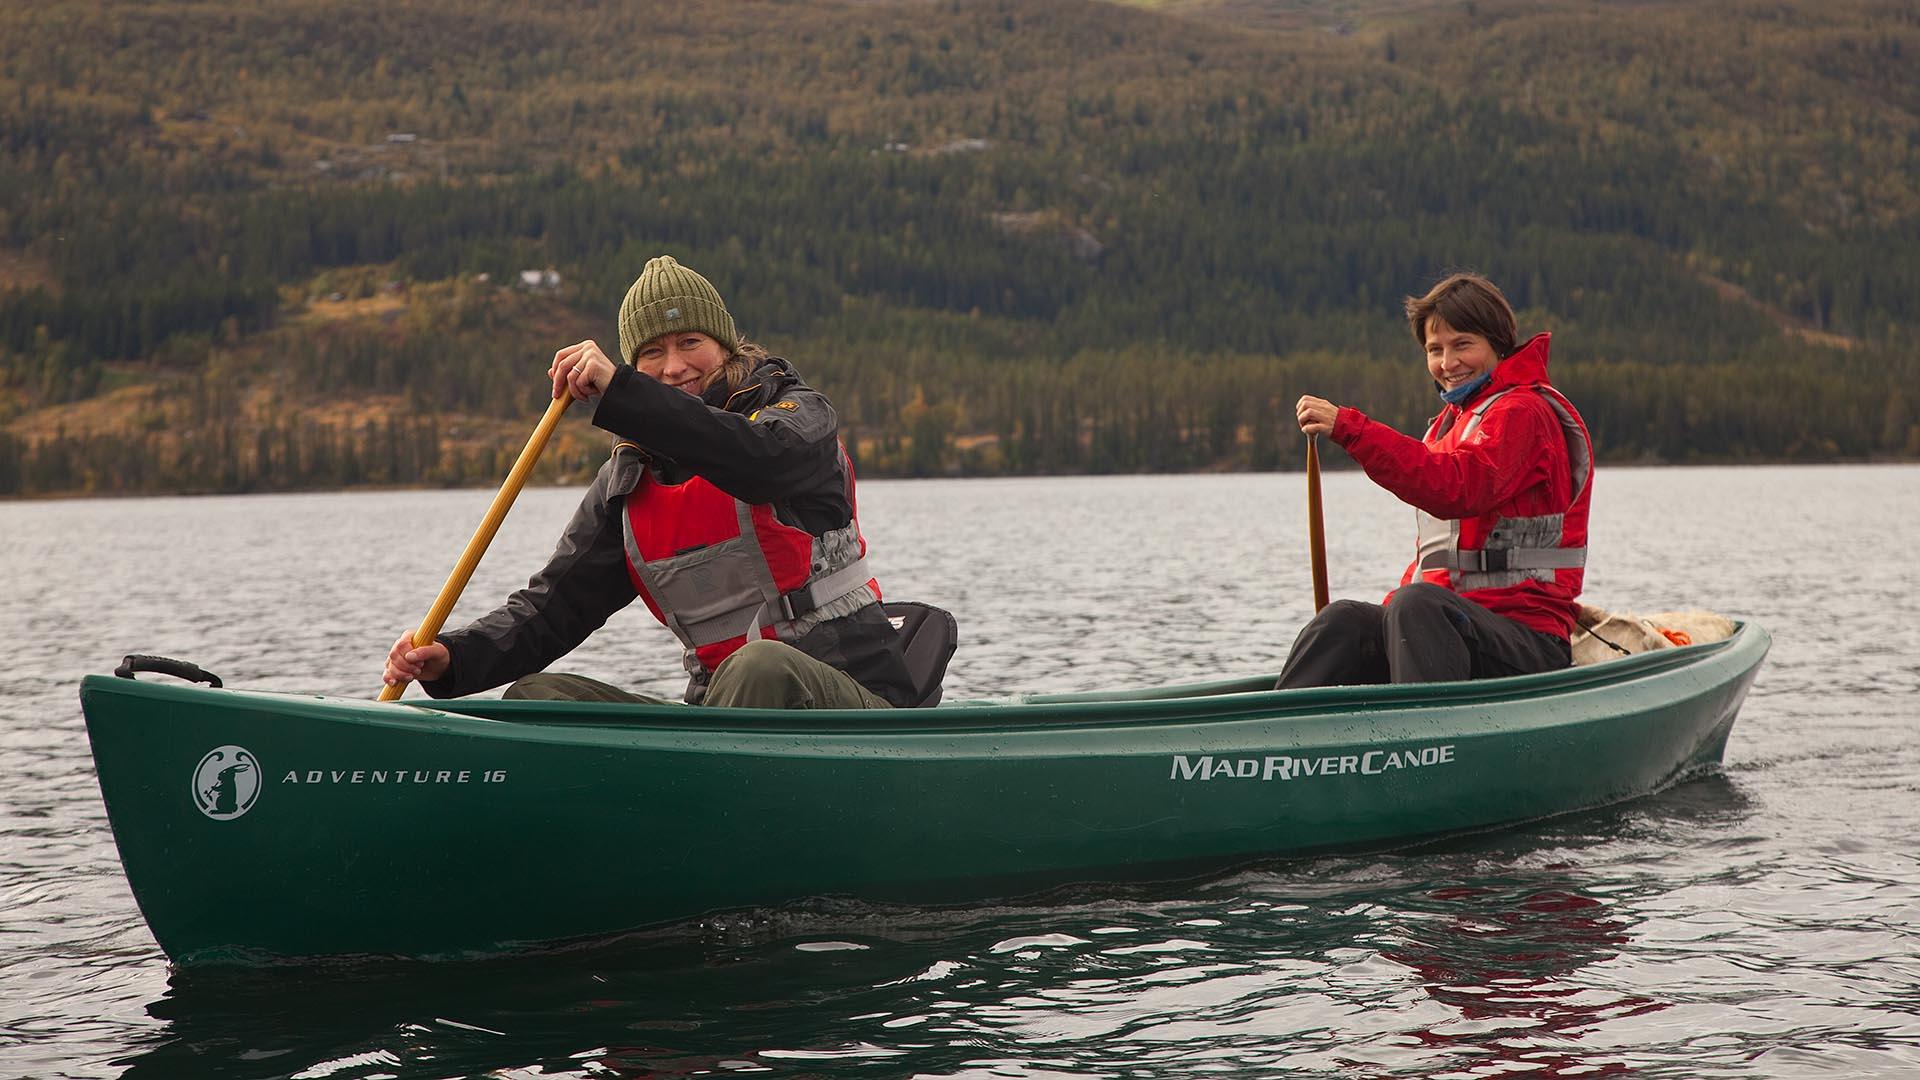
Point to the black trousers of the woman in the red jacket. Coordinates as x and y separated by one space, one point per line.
1426 635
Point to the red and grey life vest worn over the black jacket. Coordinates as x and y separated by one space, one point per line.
719 572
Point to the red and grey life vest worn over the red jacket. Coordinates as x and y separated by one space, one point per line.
1514 564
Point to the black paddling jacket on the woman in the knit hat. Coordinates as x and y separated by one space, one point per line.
786 458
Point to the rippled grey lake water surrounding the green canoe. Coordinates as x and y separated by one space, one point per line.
1758 923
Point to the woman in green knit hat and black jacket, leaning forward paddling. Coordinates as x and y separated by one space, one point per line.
729 508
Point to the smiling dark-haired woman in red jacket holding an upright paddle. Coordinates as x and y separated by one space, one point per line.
1500 487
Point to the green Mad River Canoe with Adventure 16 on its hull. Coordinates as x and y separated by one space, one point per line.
264 827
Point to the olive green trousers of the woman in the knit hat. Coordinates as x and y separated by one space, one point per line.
759 675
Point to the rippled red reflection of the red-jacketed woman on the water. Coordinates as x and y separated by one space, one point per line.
1500 962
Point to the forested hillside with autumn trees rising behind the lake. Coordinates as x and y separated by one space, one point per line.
252 247
